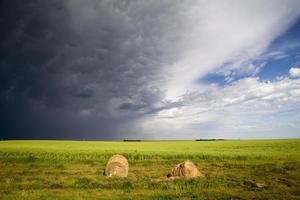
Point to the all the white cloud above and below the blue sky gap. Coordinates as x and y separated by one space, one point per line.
227 37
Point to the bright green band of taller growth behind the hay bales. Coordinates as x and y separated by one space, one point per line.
148 151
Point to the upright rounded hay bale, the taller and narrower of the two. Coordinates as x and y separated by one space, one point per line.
117 165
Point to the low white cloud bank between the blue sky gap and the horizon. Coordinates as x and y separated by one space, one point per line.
248 108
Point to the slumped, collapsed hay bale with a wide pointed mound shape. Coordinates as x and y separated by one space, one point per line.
187 169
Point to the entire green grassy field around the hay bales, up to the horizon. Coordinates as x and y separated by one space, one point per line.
74 170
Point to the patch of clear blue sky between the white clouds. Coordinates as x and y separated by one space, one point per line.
282 54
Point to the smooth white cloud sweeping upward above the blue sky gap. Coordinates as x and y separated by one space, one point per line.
219 32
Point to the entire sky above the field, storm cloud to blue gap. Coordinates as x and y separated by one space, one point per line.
168 69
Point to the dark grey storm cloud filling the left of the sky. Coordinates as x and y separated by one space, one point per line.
82 69
